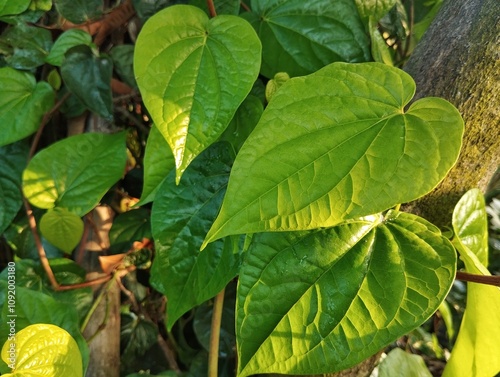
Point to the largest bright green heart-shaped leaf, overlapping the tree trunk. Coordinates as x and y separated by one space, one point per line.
336 145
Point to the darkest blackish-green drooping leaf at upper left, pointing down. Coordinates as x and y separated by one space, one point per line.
89 78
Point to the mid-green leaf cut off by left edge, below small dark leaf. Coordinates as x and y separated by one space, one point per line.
22 104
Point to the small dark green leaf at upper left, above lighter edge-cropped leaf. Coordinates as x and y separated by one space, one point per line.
30 44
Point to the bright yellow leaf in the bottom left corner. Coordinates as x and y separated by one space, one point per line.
43 350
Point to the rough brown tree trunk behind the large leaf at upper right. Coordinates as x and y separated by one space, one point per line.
459 60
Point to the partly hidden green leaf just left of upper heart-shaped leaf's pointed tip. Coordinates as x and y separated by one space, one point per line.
158 163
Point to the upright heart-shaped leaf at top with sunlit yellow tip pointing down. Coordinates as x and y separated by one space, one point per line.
193 73
